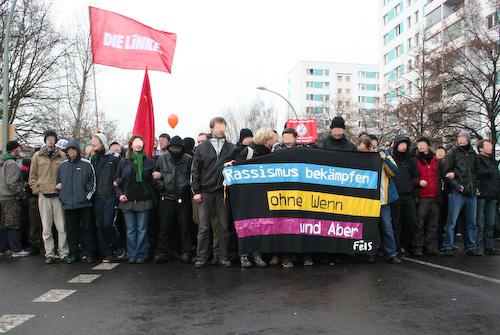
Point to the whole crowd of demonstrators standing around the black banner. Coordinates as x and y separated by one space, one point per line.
113 202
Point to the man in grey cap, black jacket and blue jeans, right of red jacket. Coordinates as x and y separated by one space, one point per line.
460 168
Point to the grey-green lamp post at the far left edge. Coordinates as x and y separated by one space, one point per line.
5 116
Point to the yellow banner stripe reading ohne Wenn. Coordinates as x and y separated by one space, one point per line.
296 200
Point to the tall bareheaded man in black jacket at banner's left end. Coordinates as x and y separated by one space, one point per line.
206 181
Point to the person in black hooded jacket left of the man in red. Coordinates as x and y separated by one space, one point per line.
403 210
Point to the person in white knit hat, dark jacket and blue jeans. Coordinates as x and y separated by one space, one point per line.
105 164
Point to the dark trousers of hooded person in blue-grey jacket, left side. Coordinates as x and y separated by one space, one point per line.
76 218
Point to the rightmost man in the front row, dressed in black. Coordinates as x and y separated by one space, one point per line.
488 181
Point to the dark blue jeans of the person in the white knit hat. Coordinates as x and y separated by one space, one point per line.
106 235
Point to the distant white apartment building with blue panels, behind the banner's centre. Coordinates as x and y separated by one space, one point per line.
325 89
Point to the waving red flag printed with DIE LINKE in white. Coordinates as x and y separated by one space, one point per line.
125 43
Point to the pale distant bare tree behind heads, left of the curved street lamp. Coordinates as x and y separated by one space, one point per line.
254 116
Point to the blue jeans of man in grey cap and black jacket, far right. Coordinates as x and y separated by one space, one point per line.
456 201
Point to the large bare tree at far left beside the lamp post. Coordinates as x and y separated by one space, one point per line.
36 51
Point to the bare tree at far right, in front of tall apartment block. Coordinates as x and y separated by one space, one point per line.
471 68
